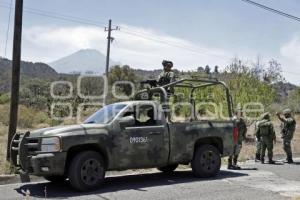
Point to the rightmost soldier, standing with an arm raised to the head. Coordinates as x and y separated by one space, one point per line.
288 127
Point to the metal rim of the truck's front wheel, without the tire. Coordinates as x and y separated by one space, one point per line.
91 171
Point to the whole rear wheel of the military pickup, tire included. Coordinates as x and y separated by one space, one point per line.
206 162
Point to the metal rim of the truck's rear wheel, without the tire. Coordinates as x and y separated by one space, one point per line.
208 161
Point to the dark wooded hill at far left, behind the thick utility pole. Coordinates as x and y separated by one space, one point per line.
28 70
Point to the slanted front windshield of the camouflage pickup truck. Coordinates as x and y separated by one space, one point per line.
105 114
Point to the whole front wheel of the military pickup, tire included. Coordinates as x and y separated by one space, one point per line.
86 171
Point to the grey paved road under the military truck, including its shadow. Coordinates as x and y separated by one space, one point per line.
255 181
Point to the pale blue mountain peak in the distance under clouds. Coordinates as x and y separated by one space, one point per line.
82 61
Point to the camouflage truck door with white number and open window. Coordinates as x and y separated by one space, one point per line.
144 144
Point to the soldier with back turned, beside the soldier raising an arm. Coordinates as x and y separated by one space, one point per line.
266 134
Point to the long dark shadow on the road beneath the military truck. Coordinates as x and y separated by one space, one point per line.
113 184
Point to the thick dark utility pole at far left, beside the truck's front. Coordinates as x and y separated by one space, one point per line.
15 82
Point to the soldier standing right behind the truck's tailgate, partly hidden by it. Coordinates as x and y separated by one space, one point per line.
242 130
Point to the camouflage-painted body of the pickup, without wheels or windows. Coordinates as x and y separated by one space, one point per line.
128 147
